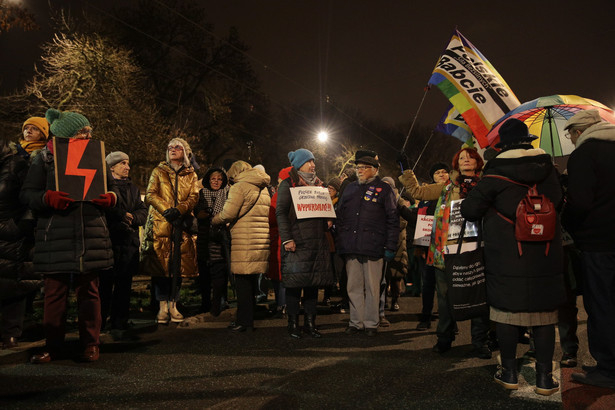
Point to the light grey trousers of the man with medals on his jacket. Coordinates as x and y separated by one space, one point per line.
364 277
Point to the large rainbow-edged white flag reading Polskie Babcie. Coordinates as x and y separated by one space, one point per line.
473 86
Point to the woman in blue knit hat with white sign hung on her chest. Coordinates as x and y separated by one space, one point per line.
305 254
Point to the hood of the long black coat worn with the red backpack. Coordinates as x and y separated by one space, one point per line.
528 166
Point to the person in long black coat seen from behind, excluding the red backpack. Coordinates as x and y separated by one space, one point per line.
524 288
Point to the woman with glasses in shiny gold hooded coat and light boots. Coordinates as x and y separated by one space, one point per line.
168 251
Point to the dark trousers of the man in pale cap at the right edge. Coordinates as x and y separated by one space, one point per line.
599 301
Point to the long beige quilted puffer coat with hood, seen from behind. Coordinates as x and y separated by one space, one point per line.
247 210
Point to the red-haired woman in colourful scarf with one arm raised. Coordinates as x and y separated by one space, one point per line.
467 165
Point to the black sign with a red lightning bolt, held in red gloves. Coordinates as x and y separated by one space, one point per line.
80 167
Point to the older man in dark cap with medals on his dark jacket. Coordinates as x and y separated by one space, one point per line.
367 233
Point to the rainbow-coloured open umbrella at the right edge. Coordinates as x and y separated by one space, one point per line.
546 116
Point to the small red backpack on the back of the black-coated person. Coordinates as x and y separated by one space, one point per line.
536 217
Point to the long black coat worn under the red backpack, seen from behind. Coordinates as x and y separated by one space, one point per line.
533 281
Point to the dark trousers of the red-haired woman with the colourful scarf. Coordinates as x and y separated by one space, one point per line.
446 324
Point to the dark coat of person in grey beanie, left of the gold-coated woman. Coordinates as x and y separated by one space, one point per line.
124 235
